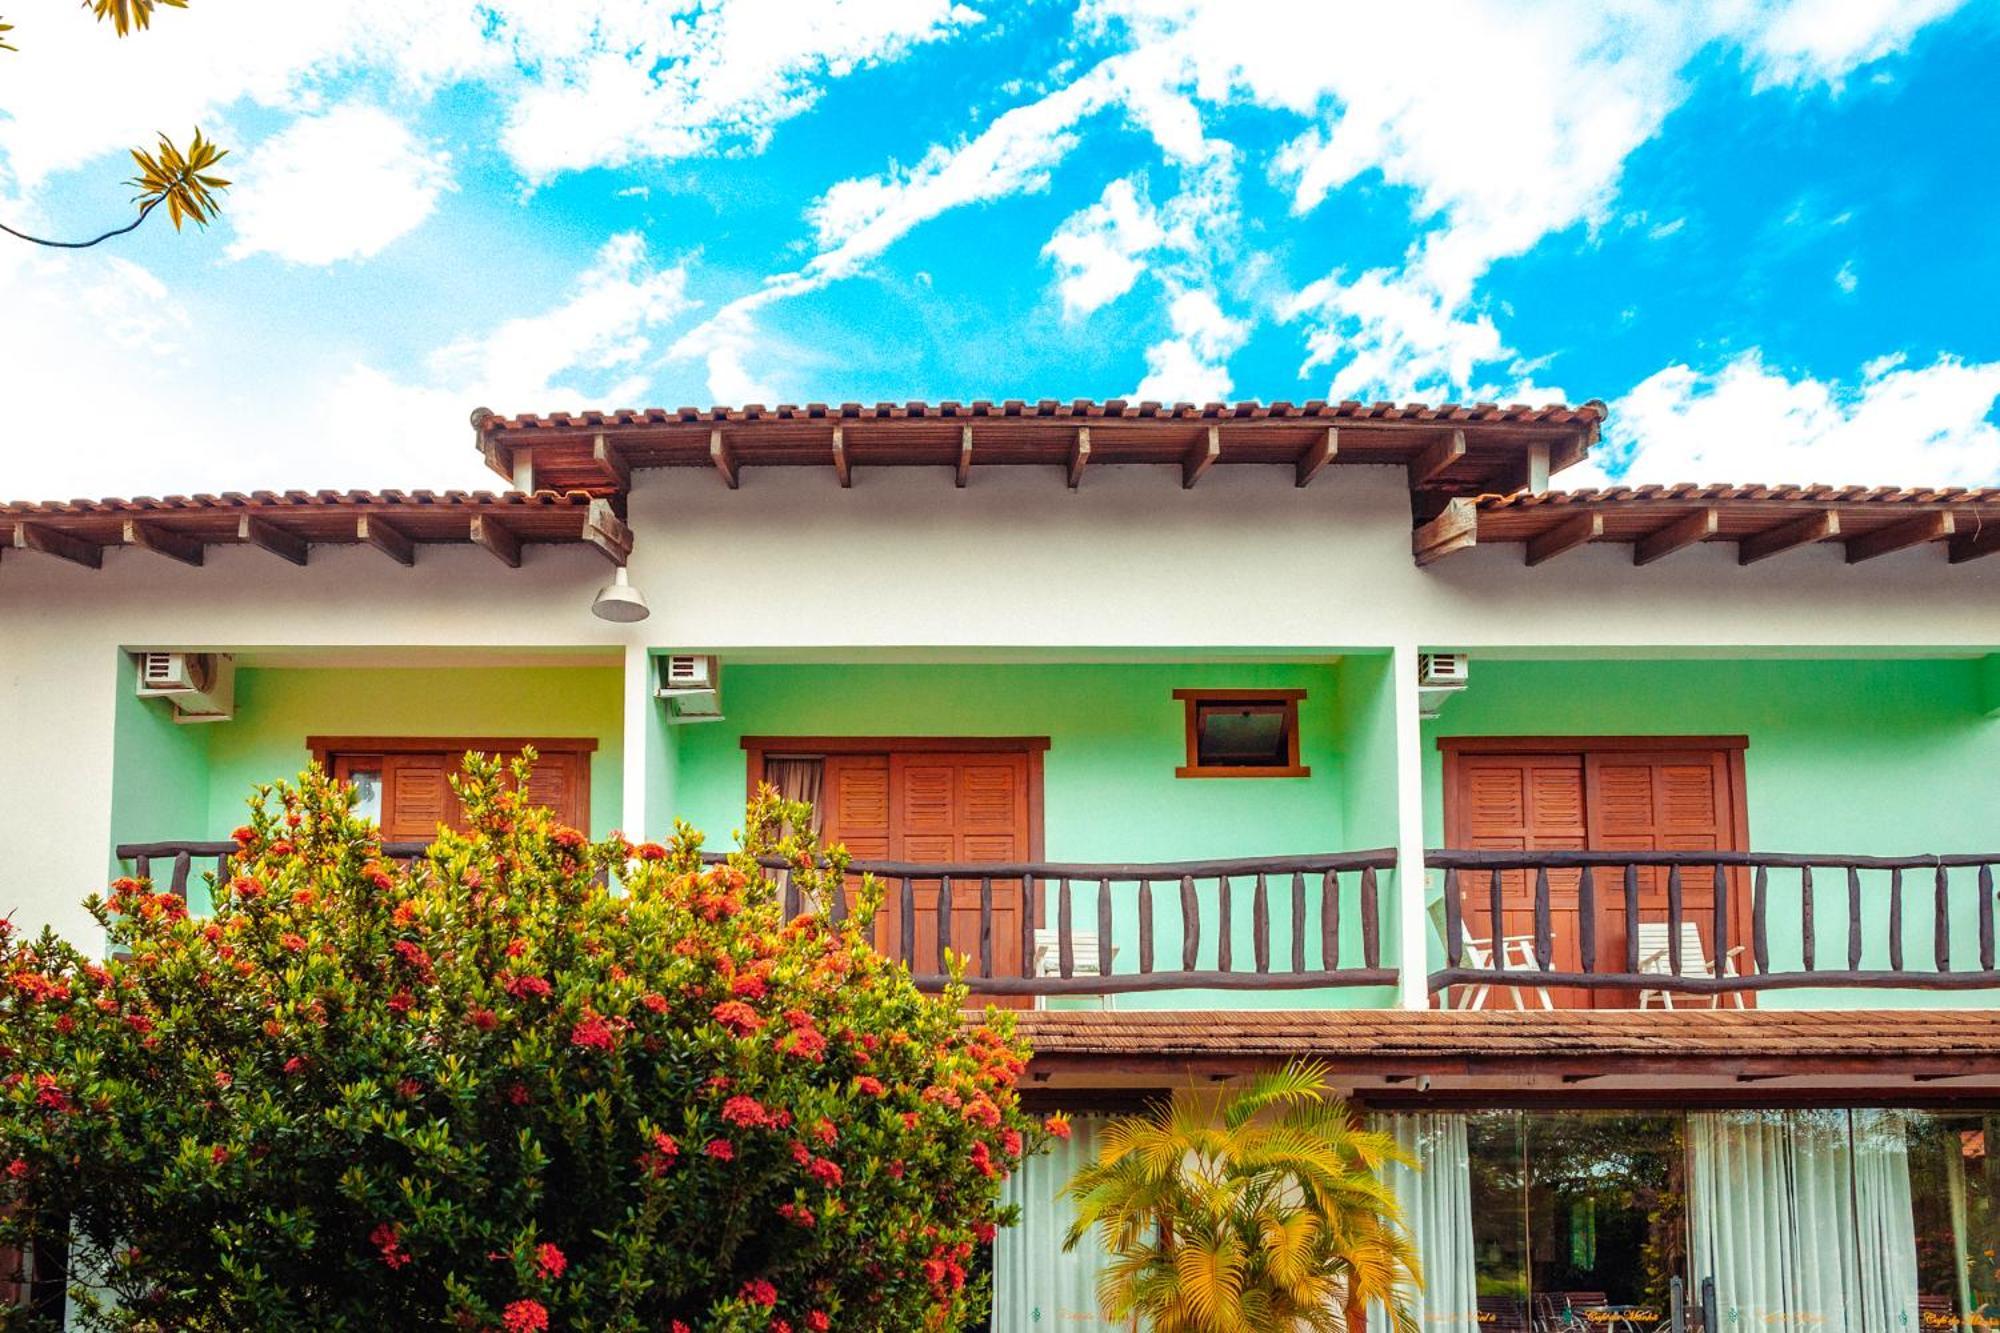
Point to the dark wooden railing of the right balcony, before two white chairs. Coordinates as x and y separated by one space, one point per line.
1715 924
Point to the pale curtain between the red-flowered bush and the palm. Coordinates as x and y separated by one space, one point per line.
1037 1286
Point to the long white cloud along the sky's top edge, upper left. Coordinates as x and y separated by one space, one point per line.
595 83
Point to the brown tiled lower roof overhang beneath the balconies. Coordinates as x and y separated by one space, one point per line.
1533 1058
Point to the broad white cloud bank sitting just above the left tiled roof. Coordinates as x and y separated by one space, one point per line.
87 329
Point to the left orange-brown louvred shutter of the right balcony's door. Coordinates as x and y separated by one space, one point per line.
1521 804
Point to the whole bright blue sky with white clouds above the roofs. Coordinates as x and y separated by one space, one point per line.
1759 229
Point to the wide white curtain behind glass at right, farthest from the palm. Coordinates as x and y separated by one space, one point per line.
1803 1220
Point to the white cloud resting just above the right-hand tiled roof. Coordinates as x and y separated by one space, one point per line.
1751 423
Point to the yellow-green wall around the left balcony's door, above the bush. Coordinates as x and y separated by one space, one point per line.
277 710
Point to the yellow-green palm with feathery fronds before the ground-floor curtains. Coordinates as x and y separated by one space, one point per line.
1261 1214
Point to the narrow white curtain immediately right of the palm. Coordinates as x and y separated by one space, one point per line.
1437 1206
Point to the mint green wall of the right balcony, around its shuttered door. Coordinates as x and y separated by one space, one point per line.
1879 758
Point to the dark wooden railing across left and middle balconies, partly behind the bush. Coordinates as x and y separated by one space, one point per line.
1075 930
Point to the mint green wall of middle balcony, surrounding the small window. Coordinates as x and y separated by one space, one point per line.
1117 736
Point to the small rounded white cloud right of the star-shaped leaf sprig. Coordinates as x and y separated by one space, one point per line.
335 187
